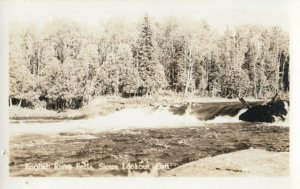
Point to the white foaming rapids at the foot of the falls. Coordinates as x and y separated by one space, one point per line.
126 119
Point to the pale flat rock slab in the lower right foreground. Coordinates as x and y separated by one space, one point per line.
252 162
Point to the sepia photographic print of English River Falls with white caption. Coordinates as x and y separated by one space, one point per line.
149 89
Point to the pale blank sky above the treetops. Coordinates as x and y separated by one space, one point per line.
218 13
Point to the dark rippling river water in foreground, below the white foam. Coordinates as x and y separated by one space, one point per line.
172 146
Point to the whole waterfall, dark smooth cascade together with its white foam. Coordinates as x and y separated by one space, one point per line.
200 114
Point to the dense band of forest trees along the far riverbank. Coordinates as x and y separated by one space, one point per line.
65 64
